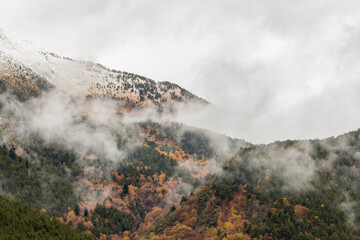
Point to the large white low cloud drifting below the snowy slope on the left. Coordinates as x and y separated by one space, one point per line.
87 127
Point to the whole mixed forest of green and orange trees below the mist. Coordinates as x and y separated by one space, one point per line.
246 201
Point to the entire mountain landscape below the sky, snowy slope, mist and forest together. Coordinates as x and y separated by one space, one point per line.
83 157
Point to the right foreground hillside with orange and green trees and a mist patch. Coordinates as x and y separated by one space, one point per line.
284 190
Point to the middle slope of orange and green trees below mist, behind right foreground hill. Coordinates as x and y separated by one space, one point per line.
95 194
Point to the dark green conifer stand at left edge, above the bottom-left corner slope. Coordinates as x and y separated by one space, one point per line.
38 187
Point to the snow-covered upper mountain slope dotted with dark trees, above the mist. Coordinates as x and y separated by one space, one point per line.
29 69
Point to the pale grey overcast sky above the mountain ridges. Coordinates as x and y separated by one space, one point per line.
282 68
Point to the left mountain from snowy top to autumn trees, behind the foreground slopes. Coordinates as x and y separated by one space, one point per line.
68 152
